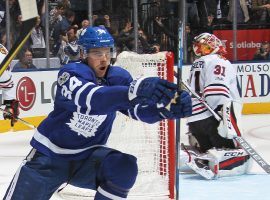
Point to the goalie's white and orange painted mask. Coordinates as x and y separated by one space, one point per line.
206 43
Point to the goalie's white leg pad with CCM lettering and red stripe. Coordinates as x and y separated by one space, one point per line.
230 162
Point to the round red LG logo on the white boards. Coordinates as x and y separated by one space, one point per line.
26 93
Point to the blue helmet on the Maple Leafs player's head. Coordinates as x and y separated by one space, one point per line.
95 37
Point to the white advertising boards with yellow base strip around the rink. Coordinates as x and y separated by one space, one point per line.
36 91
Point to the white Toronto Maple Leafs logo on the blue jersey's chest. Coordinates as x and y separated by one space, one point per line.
86 125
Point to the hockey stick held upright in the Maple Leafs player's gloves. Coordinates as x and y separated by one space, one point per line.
179 78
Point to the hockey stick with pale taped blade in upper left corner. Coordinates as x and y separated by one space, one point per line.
29 14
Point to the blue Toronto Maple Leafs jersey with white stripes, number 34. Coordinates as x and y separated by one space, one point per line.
84 110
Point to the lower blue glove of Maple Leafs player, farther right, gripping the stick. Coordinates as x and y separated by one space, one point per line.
179 108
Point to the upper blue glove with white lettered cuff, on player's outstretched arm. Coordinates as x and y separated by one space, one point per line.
151 90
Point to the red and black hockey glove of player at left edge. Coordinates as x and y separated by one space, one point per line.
11 111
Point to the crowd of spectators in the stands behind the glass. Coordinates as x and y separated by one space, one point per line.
157 26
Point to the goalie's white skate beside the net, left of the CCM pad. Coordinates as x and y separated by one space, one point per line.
201 167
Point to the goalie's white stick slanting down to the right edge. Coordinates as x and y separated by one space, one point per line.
241 141
